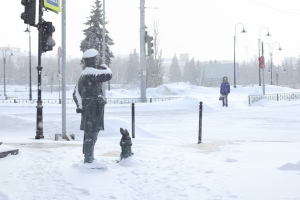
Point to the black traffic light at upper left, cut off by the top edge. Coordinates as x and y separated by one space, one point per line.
29 12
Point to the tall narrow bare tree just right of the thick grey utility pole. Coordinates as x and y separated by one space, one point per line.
155 70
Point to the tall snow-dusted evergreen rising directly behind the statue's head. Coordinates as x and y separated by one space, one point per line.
93 34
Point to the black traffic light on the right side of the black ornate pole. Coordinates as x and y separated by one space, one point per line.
47 42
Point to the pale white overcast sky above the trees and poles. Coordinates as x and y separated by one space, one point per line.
203 28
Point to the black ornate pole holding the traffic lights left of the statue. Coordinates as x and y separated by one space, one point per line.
39 113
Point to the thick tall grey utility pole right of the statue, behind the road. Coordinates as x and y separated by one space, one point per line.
142 51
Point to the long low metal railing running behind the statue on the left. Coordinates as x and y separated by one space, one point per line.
109 100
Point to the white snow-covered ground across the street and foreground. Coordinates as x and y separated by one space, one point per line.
247 152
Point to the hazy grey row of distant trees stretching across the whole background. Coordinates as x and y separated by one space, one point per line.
126 71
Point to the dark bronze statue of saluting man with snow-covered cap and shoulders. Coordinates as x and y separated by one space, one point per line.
88 96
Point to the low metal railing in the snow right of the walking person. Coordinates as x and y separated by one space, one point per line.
275 97
